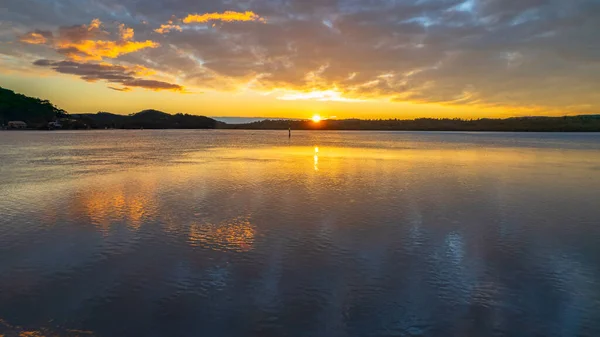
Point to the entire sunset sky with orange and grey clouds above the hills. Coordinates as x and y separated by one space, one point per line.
297 58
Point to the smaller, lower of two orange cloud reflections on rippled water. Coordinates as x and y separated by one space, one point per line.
233 235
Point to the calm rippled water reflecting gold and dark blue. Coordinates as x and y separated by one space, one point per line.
249 233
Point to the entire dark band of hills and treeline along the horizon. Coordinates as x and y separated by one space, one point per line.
39 113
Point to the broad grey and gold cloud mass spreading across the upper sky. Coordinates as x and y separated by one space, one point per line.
509 54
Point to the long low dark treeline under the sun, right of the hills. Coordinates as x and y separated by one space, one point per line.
585 123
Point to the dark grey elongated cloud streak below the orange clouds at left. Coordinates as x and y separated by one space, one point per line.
123 75
